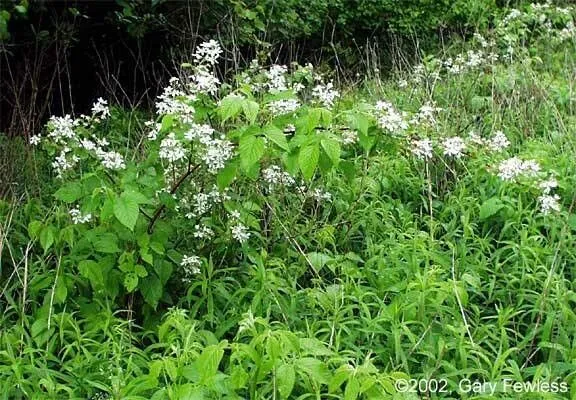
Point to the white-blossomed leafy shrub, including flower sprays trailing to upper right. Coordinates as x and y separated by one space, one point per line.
220 159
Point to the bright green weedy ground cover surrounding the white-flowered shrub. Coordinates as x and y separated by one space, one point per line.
436 272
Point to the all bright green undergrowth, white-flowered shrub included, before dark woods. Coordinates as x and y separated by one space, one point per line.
274 236
